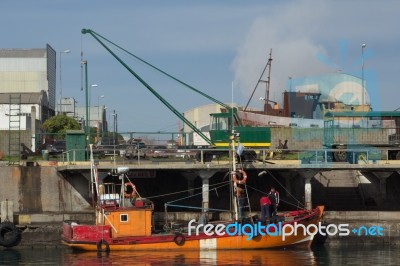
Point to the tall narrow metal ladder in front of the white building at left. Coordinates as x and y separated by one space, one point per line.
14 130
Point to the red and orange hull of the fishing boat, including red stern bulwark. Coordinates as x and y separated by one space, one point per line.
93 238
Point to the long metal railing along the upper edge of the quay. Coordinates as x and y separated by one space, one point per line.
215 156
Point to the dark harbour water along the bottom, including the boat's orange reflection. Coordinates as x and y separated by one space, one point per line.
348 255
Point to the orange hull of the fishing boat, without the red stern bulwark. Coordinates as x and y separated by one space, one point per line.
200 242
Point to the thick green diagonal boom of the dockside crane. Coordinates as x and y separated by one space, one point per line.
167 104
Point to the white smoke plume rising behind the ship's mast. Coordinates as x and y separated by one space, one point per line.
289 33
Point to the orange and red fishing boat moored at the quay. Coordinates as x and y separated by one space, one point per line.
124 221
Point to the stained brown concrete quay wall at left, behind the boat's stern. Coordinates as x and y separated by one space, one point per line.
34 189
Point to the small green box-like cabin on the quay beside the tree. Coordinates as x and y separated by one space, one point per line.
76 145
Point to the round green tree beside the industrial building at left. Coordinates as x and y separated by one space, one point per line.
59 124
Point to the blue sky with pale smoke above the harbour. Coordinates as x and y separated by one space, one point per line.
218 47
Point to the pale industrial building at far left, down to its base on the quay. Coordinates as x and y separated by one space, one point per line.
27 95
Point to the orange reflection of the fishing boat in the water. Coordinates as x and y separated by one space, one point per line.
252 257
